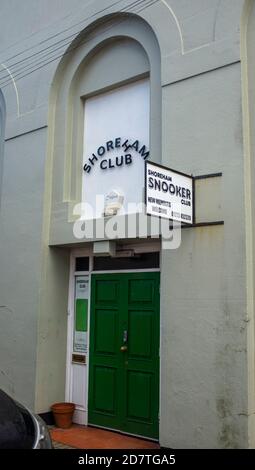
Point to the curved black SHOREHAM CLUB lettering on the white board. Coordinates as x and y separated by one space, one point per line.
126 149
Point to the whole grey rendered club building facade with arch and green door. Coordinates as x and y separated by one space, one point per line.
149 330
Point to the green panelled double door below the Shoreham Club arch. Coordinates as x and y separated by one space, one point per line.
124 353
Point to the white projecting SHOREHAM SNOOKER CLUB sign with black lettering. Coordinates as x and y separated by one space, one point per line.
168 193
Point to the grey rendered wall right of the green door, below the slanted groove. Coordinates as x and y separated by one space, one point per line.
204 323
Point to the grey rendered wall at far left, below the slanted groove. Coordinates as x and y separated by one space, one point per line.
20 255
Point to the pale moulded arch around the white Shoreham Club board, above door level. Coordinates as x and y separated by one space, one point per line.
112 51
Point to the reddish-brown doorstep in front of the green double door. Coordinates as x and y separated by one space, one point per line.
87 437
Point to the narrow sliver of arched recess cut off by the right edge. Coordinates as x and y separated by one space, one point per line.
248 102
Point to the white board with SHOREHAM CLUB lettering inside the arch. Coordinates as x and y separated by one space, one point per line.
116 145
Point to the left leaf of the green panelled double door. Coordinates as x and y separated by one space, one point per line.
104 367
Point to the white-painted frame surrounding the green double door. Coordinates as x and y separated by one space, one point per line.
81 410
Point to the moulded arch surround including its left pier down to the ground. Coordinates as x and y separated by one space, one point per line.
105 55
